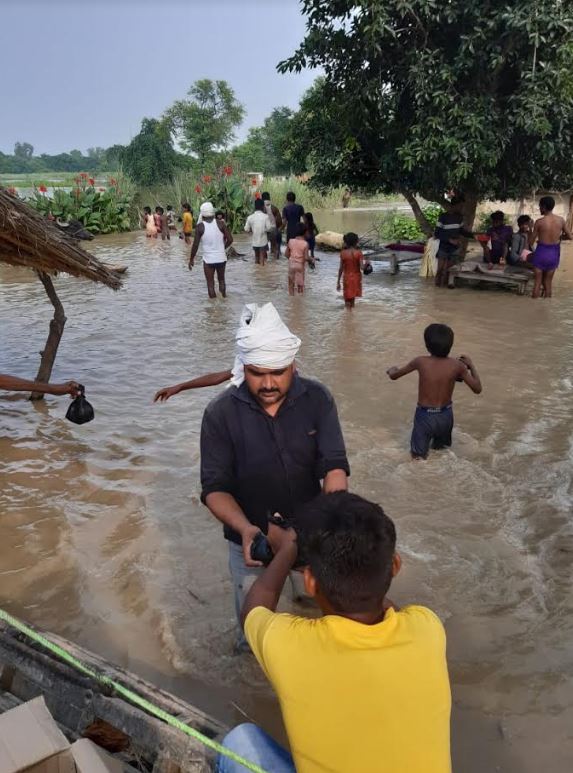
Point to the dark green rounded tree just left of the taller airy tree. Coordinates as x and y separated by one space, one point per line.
149 158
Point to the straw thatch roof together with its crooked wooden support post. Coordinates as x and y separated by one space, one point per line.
28 239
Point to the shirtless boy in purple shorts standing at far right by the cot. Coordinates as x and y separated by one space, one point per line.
547 232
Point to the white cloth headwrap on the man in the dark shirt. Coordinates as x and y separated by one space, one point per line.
263 339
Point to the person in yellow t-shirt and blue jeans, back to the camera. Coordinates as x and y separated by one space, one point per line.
363 689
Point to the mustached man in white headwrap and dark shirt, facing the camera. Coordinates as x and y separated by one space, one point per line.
269 443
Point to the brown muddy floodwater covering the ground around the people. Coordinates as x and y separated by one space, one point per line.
103 538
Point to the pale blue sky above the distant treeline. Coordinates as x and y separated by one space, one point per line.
78 73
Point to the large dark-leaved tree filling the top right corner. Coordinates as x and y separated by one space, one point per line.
421 96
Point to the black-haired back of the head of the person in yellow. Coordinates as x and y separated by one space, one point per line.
348 543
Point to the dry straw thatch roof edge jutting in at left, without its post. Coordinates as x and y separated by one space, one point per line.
28 239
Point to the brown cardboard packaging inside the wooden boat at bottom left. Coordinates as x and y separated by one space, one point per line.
31 742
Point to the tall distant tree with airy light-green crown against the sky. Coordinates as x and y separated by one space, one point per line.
206 121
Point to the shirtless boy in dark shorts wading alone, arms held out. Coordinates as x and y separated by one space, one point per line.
438 373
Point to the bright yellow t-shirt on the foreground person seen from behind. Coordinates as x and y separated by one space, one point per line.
359 698
